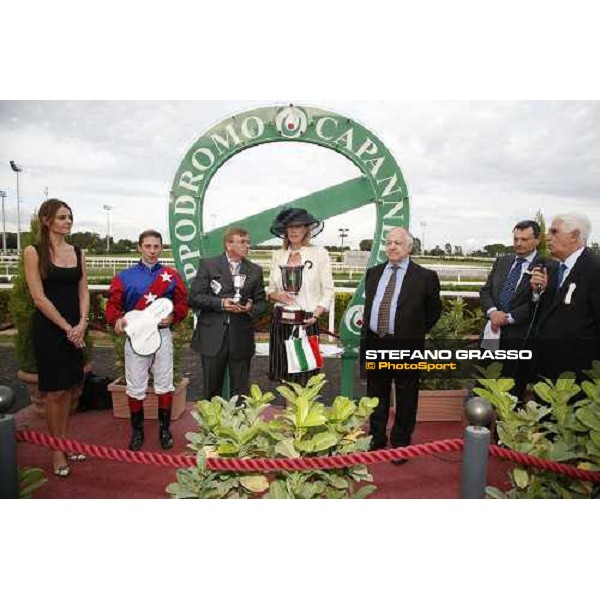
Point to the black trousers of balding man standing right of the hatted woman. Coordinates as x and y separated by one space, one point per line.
405 419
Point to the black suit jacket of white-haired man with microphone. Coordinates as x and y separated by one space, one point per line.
568 332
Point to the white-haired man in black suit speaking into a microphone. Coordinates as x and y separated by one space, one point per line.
569 324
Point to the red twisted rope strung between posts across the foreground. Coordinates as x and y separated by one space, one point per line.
294 464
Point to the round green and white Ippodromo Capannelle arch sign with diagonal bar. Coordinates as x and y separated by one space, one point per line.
381 183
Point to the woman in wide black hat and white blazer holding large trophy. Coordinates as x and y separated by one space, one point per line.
297 259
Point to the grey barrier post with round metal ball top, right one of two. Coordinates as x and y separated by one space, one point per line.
479 413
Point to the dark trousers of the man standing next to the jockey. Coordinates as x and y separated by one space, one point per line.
214 367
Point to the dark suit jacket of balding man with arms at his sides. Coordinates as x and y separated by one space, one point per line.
419 305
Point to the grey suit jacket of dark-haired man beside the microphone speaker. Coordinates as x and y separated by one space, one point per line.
520 306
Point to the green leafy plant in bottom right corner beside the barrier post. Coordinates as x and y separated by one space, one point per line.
562 424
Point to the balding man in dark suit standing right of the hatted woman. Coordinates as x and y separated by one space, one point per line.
402 302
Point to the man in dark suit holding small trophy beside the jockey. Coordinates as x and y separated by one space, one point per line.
228 293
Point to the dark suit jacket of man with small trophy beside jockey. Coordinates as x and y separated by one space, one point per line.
212 319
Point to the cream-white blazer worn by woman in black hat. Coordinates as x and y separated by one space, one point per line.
317 282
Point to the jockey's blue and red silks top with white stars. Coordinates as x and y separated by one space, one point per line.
138 286
